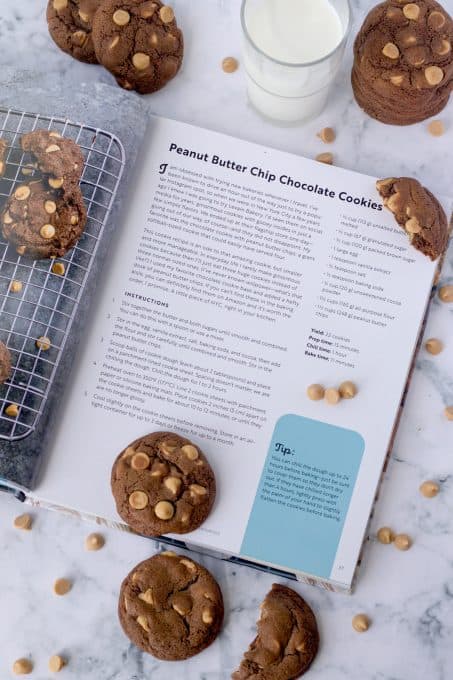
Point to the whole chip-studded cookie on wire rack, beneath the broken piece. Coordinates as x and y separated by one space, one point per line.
42 223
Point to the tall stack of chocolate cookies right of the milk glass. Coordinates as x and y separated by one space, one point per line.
403 61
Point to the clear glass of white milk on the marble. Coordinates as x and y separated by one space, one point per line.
292 53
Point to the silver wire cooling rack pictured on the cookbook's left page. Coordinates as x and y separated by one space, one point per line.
47 303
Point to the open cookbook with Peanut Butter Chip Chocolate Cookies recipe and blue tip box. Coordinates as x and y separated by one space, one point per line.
234 277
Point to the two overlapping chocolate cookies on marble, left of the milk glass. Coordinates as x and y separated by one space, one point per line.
138 41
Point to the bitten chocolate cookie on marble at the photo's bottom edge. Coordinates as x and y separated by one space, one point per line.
287 640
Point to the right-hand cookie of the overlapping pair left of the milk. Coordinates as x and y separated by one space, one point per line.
138 42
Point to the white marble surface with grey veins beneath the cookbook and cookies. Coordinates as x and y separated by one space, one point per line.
409 595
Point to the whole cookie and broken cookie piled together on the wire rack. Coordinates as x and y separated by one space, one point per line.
45 217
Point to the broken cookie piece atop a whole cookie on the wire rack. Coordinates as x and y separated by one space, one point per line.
57 156
